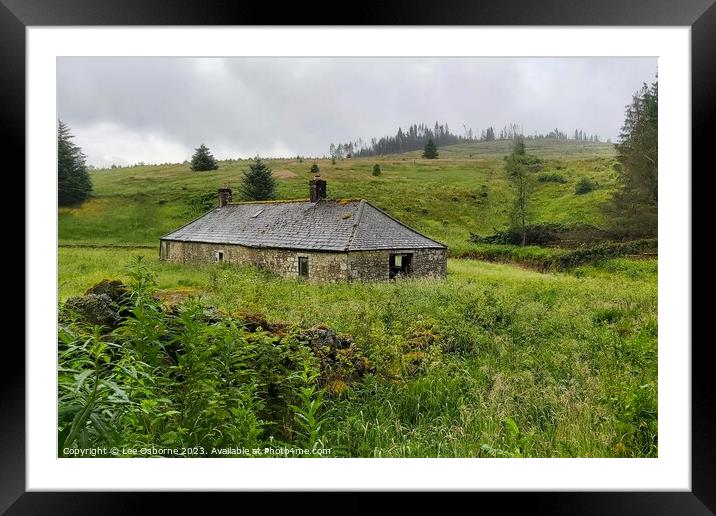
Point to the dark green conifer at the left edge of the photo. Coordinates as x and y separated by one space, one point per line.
74 184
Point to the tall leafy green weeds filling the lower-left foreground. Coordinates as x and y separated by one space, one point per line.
176 380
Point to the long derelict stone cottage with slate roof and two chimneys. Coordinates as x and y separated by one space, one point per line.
321 239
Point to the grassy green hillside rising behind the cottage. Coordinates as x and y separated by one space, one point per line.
463 191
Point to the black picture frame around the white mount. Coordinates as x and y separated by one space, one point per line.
700 15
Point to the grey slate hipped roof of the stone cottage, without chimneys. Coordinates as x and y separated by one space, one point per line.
327 225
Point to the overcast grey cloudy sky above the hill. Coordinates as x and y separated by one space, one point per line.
126 110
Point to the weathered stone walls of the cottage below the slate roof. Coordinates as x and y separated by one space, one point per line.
323 266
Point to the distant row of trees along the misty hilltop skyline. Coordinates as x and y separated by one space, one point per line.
416 137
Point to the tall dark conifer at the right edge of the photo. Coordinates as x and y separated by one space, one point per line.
634 206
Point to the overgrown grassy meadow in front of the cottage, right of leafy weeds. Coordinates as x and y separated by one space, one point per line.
494 361
